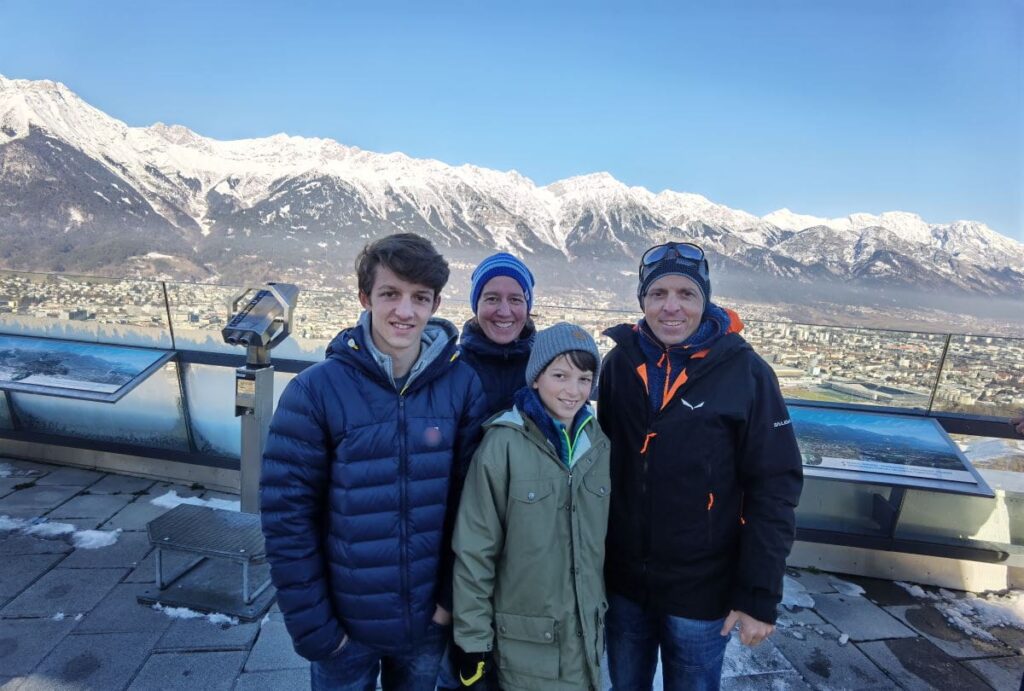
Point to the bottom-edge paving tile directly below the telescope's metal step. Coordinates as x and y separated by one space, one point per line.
207 671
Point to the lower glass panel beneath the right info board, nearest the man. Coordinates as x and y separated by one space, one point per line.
839 506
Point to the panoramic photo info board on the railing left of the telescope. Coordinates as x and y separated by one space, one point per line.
74 370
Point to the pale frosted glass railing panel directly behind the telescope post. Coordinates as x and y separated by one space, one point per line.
211 408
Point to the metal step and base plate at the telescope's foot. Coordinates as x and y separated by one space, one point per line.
227 572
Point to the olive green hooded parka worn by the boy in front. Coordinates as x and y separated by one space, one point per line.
530 551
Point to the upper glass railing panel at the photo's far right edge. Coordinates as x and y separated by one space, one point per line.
984 376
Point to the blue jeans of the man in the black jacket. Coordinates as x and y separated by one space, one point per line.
693 651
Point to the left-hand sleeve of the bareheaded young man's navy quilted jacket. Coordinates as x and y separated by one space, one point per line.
293 501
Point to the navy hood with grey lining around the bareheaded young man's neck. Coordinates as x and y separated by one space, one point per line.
356 345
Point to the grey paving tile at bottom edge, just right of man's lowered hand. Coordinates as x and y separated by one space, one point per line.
825 664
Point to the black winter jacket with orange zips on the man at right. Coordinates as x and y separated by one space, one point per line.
704 491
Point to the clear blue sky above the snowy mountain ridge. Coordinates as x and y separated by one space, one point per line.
825 107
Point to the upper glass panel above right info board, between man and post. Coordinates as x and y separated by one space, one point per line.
850 366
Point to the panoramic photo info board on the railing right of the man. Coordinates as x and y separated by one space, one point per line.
883 449
